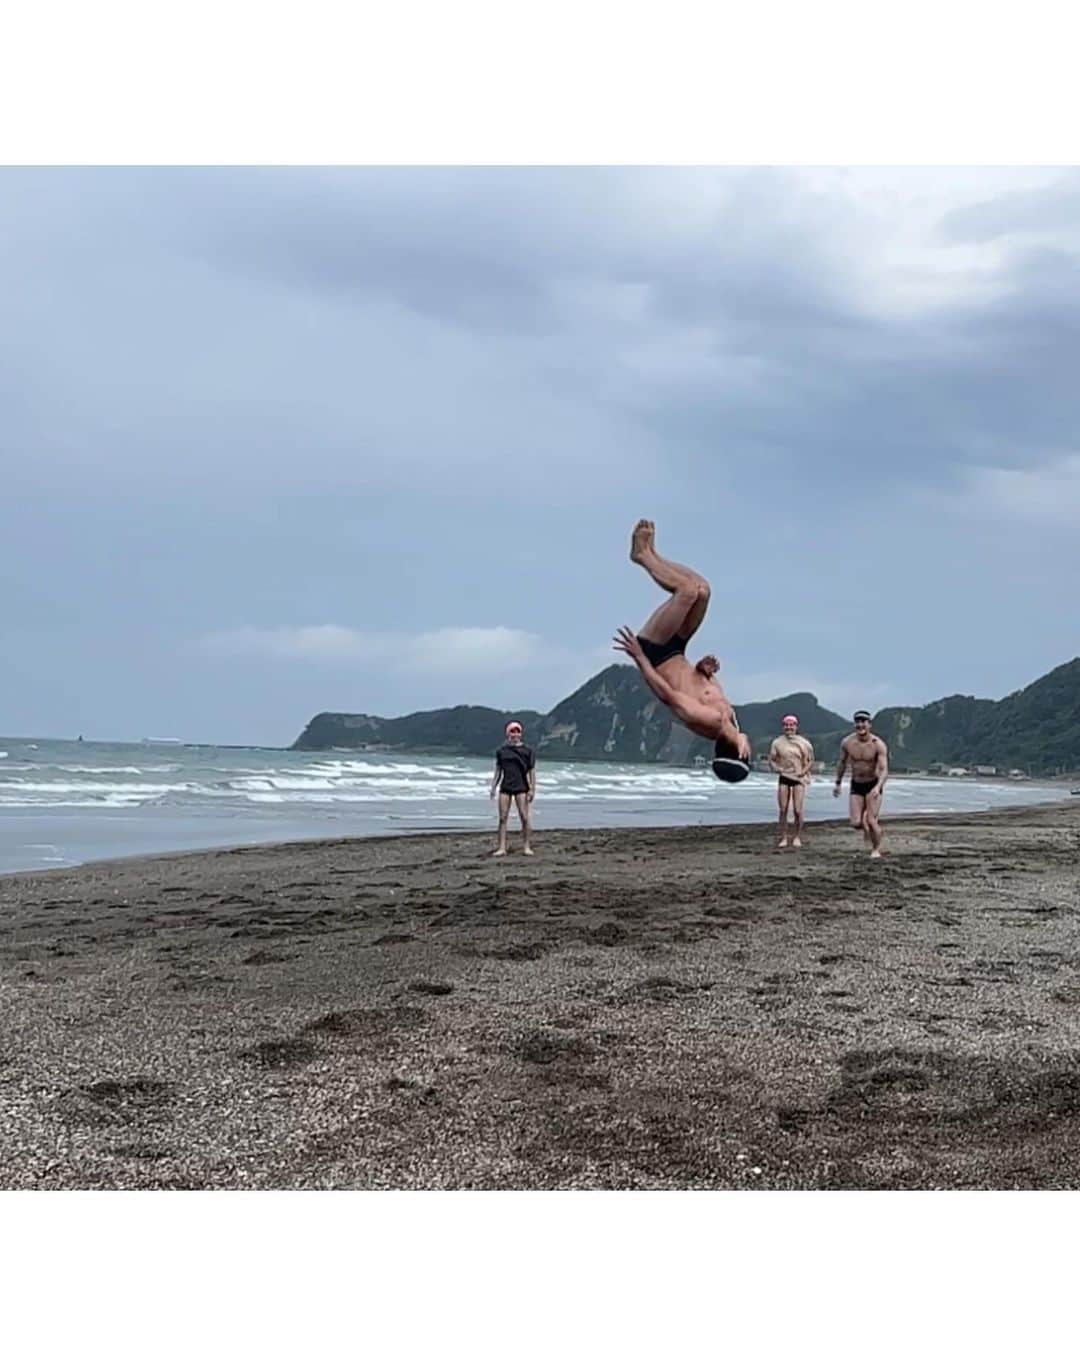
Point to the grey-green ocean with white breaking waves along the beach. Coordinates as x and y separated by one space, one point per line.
70 803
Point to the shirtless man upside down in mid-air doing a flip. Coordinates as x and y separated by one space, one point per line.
693 693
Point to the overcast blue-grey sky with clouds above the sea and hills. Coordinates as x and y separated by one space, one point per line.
287 441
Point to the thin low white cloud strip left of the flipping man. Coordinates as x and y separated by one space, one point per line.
449 650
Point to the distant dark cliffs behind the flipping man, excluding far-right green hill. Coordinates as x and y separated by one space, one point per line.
611 718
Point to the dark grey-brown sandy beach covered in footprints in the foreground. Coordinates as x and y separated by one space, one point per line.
630 1009
